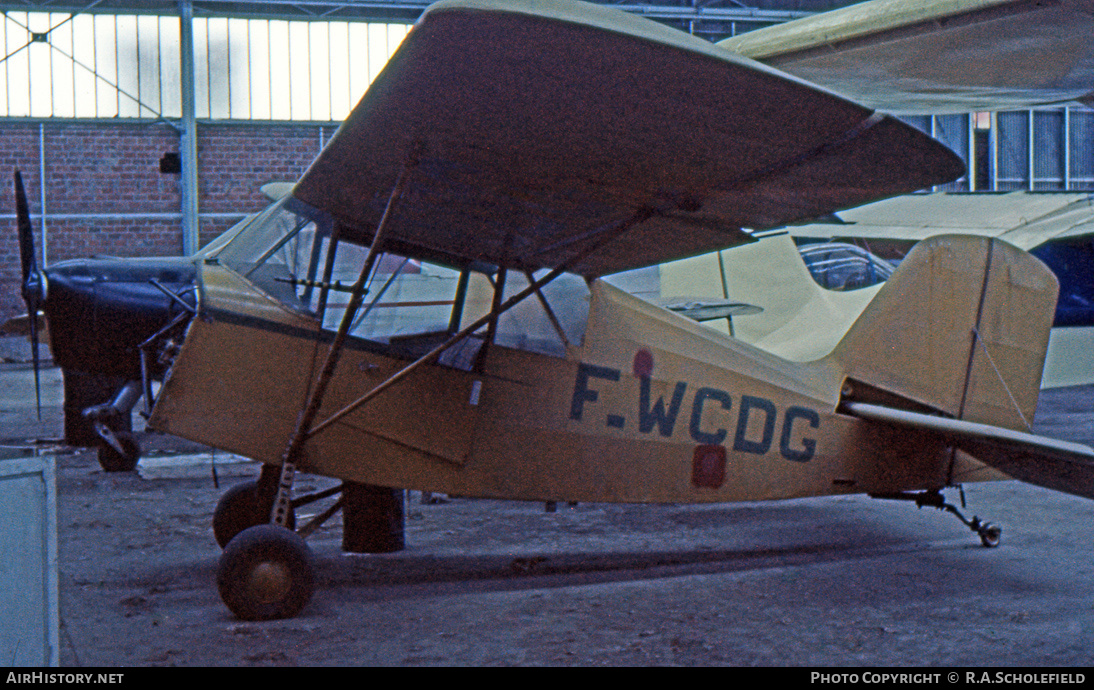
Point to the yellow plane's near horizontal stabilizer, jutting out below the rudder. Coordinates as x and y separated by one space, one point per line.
1050 463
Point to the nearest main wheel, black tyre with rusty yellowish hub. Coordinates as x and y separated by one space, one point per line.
266 574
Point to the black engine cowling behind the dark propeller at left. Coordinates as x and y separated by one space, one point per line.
101 311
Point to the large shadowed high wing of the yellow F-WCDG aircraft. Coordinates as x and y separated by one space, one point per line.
532 131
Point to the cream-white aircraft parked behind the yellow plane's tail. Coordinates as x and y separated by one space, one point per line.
801 321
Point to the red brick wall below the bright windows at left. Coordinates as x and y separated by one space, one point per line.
97 168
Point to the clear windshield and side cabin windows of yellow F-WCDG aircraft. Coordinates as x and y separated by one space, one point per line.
410 305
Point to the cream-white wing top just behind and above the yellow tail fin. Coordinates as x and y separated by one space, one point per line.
1023 219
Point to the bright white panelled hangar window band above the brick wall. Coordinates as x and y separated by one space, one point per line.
117 65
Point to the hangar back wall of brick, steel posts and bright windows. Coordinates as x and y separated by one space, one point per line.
148 128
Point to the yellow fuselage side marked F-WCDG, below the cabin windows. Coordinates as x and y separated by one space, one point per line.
650 408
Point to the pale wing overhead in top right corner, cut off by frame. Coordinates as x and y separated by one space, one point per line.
938 56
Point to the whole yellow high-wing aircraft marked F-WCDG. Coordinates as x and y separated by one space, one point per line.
426 310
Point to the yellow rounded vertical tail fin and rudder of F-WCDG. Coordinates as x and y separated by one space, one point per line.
962 328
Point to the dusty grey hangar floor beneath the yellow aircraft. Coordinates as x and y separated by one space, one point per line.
824 582
